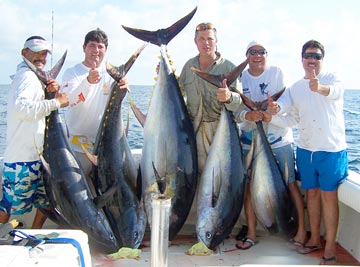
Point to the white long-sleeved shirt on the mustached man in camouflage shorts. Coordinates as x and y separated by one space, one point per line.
26 112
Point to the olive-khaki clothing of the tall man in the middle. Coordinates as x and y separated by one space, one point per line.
202 104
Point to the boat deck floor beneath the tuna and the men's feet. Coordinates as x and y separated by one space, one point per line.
269 250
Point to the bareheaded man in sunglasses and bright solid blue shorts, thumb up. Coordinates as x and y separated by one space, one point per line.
321 155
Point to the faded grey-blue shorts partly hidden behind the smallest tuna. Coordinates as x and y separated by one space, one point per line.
284 154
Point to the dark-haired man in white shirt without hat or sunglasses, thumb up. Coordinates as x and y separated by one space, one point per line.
88 85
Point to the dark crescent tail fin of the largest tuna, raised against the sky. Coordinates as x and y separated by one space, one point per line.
161 36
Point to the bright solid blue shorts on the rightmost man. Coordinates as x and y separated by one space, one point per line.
324 170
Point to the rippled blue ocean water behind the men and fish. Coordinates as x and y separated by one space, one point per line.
141 96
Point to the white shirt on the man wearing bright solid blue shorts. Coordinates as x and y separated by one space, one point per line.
321 118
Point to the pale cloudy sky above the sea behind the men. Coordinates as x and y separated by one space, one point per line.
282 26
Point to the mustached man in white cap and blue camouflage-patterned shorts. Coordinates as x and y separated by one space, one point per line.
22 184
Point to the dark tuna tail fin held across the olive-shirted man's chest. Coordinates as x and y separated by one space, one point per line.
216 80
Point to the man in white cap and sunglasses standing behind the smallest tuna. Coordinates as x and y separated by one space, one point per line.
259 82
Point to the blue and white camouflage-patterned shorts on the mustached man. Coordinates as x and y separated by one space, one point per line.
22 187
